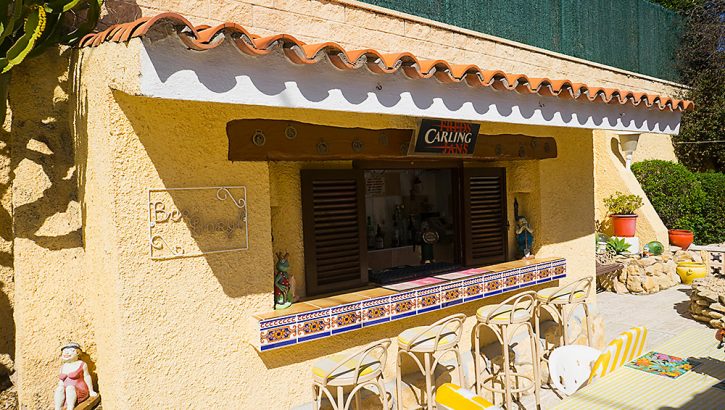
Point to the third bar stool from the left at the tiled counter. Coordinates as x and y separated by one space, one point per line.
504 320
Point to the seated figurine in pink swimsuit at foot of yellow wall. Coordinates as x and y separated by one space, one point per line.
75 385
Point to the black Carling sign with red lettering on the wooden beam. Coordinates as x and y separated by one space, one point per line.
447 138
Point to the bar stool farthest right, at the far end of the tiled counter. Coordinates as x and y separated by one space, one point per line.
561 301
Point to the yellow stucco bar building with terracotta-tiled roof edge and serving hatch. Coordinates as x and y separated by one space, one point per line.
145 224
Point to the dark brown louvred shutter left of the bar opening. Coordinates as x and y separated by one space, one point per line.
334 230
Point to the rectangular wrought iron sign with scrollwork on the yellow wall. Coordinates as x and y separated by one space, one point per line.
186 222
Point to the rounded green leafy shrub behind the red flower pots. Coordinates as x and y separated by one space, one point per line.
685 200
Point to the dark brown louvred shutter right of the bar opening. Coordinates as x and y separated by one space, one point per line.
484 213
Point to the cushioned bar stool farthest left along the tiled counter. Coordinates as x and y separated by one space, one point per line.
357 370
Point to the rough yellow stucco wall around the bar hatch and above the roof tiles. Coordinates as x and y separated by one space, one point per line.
81 247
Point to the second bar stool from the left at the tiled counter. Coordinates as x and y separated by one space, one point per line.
439 338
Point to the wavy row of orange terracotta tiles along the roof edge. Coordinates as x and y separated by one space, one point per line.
205 37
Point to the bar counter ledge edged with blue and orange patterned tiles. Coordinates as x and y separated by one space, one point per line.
325 317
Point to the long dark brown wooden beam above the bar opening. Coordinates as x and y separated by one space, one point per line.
277 140
